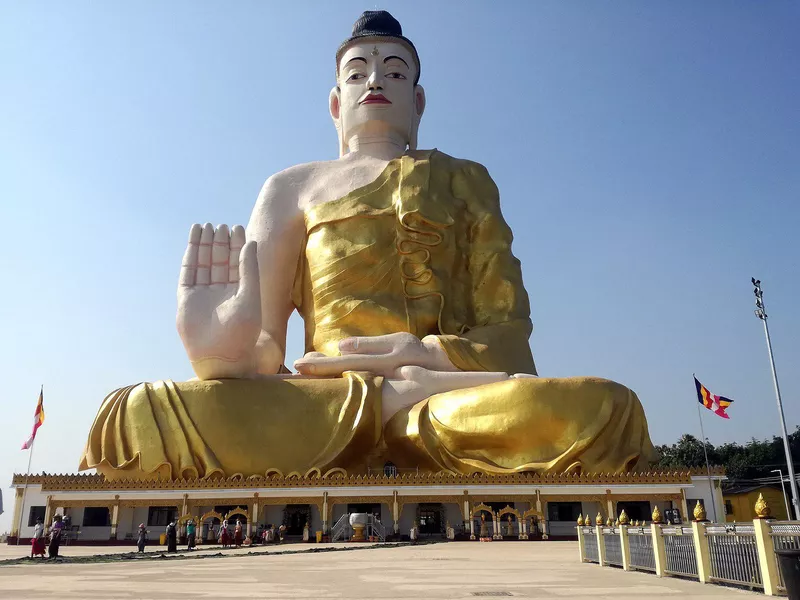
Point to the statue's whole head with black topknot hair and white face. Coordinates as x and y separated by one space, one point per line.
377 83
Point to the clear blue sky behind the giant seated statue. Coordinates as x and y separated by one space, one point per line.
647 155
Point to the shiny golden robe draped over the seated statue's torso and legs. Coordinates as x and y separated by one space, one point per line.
422 249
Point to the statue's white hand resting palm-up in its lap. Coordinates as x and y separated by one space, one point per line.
381 354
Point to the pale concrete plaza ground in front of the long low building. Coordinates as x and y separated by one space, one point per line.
454 570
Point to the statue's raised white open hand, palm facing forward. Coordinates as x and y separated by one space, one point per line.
219 308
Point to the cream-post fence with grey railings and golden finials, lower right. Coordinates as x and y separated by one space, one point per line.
741 554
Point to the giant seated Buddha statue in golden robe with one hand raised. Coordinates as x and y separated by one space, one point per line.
416 320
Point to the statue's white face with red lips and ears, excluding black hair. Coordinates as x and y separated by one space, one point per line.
376 94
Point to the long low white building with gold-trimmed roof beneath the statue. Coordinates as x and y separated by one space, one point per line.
517 506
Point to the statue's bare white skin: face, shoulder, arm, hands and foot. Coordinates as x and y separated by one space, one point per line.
235 286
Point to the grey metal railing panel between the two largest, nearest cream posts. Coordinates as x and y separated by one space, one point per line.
734 554
